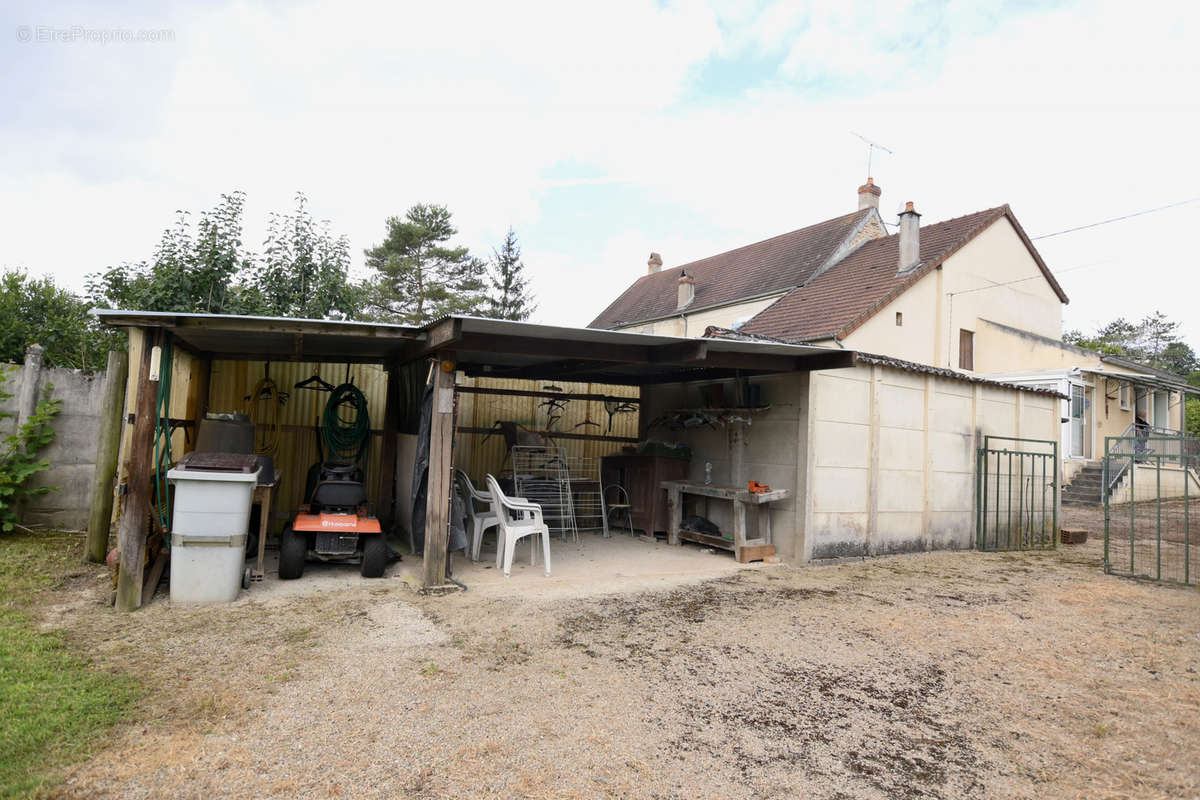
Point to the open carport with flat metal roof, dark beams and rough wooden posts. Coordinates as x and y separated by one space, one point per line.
458 346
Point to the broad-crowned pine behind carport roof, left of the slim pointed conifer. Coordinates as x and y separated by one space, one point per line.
418 276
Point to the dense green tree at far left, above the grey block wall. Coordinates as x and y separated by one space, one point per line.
38 311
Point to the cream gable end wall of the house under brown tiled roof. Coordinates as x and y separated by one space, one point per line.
985 280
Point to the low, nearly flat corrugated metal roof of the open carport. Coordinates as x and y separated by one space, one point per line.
493 347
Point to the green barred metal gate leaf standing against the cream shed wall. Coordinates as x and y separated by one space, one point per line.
1017 495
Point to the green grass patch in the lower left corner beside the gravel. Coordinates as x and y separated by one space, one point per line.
53 705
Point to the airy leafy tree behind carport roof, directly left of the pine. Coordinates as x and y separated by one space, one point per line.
304 272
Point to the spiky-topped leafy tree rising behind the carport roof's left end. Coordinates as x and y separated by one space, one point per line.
188 274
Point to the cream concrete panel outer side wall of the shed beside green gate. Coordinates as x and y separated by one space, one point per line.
893 465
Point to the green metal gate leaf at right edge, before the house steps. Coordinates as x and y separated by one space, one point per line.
1151 484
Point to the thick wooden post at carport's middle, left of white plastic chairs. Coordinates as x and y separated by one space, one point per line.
437 504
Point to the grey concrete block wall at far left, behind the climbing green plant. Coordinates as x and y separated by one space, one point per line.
74 452
